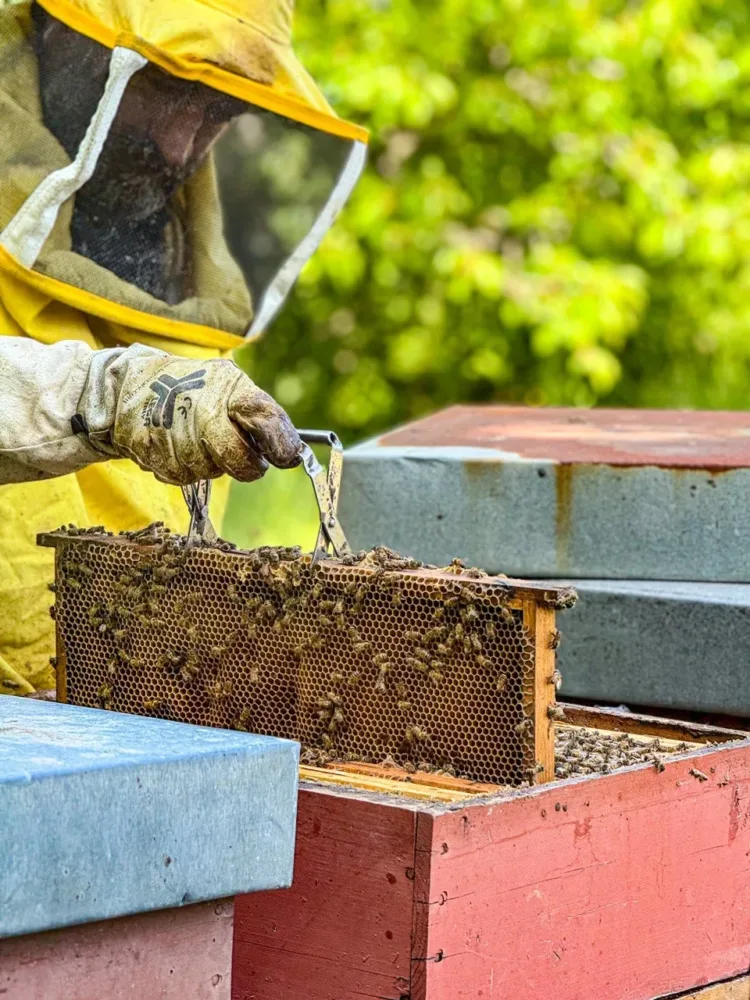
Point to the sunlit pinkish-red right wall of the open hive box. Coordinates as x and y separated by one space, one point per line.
624 887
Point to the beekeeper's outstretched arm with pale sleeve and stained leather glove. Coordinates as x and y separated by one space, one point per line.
64 406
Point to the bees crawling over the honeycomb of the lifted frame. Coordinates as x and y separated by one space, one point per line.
323 610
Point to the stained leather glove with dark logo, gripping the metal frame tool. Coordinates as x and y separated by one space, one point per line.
185 420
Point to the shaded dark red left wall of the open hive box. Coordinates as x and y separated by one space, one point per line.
343 931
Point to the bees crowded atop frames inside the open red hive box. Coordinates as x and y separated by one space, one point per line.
584 751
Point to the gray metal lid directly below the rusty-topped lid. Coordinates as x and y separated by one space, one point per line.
661 644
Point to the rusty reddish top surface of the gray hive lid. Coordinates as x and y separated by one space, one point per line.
714 441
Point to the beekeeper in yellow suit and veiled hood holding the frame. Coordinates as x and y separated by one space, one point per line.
166 170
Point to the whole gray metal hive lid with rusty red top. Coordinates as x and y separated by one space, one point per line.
587 494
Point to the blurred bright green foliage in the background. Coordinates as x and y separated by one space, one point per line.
556 210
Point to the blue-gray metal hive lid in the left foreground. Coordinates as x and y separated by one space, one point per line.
104 815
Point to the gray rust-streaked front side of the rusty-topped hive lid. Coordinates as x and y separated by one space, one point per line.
535 518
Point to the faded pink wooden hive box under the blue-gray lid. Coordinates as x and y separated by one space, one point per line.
168 955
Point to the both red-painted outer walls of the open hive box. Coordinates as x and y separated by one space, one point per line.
623 887
